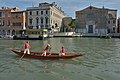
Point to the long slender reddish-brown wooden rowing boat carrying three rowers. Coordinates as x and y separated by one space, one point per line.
50 56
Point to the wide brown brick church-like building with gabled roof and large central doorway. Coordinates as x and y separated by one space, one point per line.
92 20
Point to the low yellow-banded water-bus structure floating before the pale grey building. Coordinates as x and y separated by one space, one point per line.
31 34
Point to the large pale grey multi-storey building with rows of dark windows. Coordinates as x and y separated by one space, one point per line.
47 16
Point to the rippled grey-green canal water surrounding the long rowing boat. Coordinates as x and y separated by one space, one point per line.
100 62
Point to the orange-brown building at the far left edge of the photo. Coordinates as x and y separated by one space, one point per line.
5 22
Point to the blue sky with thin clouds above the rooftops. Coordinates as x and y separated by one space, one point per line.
68 6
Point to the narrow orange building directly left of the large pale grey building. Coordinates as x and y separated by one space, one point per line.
18 21
